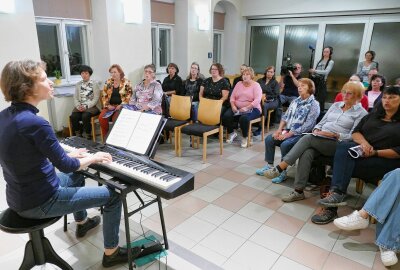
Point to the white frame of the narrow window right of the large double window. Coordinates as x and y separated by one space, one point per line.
156 60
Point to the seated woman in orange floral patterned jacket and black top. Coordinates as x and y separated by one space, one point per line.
116 92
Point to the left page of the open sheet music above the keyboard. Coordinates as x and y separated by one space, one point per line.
123 128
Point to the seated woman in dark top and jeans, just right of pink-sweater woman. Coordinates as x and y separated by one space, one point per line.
270 89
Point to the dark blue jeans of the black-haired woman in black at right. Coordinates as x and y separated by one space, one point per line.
368 169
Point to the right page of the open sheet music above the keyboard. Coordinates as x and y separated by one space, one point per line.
144 132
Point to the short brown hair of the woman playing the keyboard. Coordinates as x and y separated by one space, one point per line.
18 79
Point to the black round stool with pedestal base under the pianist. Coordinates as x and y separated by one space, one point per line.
38 249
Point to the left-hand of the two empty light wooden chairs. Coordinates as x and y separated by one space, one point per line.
179 111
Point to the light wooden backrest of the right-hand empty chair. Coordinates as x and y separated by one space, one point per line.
210 111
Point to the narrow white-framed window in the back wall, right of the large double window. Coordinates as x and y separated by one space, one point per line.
161 37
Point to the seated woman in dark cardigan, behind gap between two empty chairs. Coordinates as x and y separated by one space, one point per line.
191 87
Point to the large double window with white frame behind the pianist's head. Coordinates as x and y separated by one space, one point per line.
63 46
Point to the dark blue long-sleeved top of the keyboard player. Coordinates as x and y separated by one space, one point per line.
29 151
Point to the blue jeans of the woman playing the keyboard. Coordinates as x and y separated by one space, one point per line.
73 197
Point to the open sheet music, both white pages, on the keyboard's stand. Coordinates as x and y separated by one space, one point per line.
134 130
